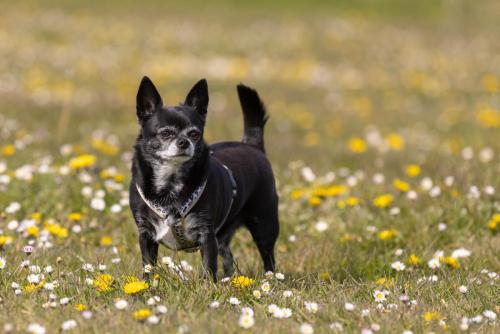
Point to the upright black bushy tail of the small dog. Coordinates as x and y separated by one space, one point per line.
254 115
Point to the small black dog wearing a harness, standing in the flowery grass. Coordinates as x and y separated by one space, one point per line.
188 195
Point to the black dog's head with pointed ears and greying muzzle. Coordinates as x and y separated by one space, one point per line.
172 135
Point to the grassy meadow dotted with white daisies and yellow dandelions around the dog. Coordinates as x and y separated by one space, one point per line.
384 138
